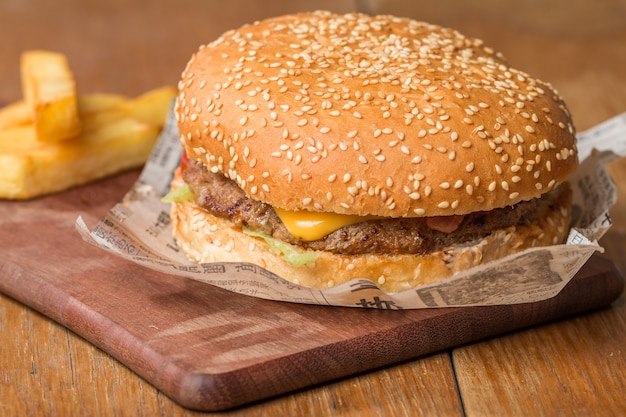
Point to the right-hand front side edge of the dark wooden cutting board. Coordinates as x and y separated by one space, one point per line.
599 280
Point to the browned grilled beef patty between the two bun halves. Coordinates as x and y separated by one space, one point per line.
223 198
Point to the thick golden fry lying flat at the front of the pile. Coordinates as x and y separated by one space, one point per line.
31 168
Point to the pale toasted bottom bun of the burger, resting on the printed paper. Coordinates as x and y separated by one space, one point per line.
206 238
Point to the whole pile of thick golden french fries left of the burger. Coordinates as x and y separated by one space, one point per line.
54 139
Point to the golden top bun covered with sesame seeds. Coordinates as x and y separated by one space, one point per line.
372 115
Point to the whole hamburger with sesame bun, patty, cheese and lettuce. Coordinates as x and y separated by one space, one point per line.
326 148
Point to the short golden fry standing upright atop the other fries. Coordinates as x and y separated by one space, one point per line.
48 87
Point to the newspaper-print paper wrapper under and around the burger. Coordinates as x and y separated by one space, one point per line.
138 229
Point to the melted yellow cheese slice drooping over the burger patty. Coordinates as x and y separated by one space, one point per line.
309 225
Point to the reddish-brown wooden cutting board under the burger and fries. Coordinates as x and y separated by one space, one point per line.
210 349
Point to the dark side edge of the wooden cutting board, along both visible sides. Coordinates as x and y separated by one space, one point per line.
599 280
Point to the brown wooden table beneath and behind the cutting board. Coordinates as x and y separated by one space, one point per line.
570 367
